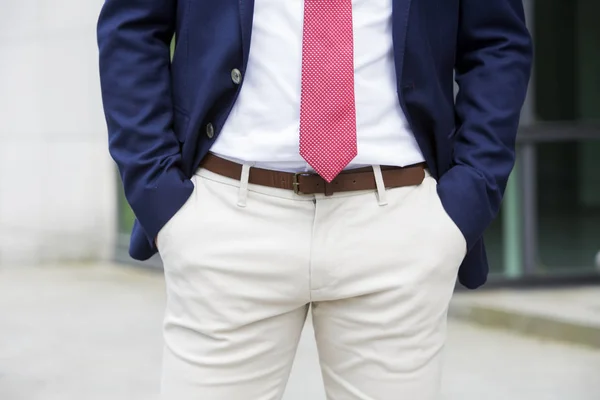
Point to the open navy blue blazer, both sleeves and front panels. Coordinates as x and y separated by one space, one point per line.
157 111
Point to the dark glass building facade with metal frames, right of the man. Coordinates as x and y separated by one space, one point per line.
549 226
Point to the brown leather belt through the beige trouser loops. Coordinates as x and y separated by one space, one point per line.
310 183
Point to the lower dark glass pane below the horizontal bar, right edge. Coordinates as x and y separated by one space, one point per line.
568 201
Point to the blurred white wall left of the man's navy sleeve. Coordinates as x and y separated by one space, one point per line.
57 181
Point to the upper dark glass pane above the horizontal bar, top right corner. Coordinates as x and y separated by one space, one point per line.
567 60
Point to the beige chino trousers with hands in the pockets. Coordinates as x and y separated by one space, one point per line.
244 262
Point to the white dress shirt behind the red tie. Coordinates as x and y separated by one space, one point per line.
263 127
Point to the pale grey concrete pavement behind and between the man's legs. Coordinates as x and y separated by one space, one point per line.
93 332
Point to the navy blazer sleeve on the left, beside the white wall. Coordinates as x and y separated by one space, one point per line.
134 54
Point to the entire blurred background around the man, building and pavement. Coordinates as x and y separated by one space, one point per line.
78 322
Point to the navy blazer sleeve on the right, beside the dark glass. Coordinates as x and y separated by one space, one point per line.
493 66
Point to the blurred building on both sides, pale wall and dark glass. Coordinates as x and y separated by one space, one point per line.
65 199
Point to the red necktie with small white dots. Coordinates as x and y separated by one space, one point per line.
327 106
